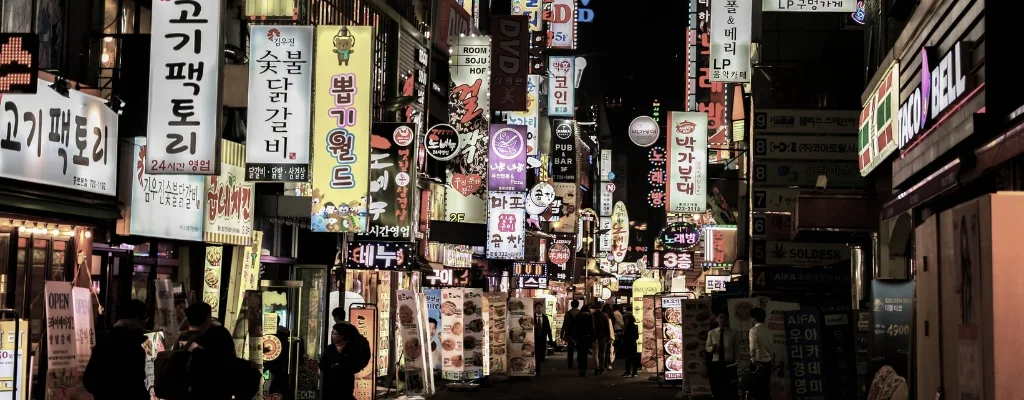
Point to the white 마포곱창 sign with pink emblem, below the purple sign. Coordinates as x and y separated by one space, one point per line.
506 226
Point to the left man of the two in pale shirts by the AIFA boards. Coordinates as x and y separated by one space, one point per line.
722 345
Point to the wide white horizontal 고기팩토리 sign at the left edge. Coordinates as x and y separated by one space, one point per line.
54 141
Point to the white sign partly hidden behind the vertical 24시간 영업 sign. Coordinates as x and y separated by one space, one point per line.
159 206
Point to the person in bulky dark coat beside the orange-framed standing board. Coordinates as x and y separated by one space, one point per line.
347 357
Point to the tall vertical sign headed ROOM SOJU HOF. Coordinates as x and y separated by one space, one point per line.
470 114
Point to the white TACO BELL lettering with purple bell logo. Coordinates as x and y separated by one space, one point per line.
943 83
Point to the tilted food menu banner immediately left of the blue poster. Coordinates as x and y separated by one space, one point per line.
413 344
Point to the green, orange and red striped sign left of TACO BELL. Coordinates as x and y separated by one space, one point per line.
878 122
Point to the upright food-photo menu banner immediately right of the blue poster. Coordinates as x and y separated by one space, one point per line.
453 354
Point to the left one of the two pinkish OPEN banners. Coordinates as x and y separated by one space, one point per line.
63 376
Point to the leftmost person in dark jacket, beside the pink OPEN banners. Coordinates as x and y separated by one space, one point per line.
117 369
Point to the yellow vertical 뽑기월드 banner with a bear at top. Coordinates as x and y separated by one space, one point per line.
342 128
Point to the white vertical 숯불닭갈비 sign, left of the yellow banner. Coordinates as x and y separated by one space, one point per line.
281 72
